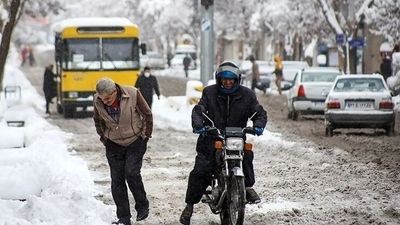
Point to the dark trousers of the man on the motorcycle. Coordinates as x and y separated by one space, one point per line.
200 176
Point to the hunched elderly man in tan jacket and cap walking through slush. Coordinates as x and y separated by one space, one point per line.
124 123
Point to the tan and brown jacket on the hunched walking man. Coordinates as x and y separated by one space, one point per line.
135 120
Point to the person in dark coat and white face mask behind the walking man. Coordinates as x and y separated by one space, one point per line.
147 84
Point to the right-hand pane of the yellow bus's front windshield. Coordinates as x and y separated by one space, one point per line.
120 53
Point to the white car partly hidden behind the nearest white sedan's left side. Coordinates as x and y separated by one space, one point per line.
309 90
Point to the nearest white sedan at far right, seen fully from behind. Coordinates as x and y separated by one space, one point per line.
359 101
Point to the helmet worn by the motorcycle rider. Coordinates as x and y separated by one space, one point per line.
228 70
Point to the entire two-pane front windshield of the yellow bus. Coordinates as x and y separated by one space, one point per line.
101 54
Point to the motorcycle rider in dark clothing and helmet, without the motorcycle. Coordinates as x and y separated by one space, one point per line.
228 104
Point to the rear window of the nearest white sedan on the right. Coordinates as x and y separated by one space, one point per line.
359 84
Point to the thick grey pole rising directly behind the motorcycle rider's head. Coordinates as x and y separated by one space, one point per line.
207 41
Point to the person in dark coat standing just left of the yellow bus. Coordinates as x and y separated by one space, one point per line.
49 86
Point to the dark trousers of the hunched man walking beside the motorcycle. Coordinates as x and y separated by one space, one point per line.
125 165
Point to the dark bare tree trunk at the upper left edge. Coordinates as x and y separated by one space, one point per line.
6 37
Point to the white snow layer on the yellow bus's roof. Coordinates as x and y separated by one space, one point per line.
91 22
